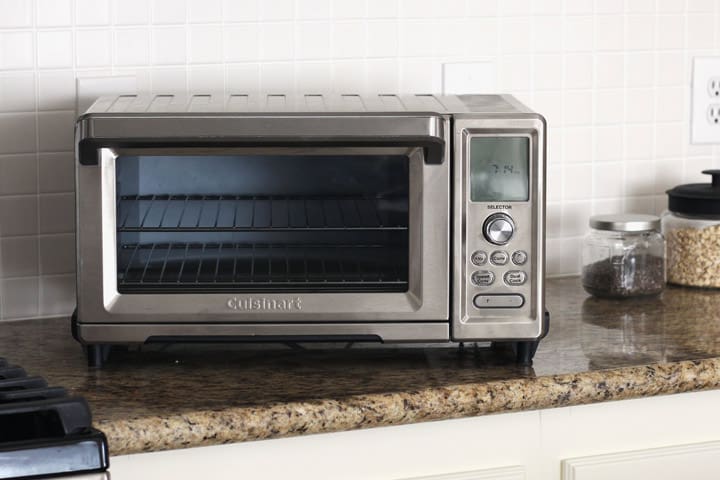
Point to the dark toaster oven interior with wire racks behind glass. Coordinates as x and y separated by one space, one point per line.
273 222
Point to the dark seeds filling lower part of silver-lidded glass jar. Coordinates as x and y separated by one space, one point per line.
629 276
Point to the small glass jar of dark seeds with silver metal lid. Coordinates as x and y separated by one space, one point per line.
623 256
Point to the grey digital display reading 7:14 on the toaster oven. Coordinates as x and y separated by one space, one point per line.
499 169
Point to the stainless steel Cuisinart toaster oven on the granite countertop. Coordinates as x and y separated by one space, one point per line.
384 218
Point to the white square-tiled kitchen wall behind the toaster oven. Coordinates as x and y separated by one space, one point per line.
611 77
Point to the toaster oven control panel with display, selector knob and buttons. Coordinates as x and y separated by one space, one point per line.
498 265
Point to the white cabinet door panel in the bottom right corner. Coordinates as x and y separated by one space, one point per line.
699 461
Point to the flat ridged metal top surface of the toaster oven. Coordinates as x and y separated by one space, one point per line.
306 103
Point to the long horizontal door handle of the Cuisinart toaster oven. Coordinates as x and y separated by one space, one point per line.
95 131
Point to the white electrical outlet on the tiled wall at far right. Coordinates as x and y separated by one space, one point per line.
705 121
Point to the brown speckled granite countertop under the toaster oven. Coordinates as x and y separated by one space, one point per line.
166 397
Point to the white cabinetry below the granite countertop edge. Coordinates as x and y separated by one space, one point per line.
675 435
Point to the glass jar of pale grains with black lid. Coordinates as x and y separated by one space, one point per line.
692 228
